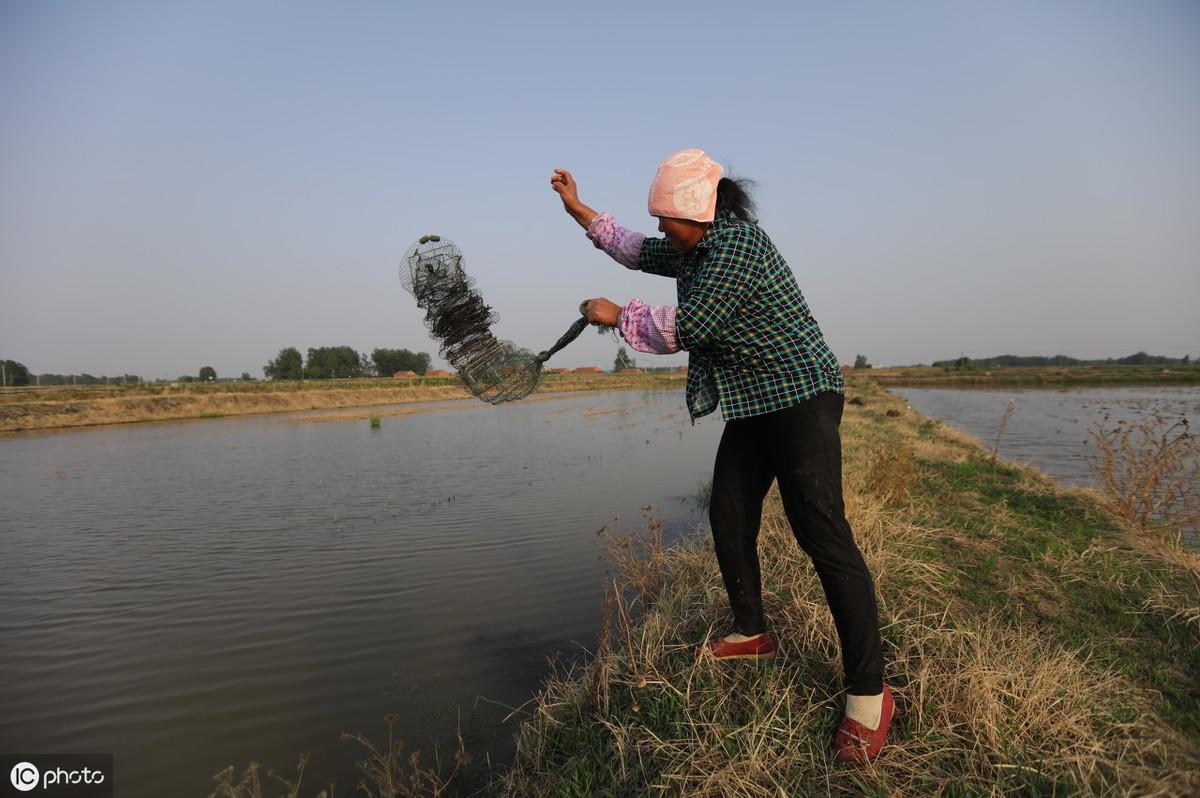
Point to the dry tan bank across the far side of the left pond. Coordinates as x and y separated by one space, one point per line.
41 409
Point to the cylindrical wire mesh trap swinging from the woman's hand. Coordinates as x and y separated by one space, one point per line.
457 316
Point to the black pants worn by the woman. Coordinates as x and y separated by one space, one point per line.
799 446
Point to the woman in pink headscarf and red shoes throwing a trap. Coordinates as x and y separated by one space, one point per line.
755 350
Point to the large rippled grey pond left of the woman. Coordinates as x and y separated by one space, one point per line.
199 595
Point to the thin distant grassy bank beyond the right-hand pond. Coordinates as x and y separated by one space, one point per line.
1034 377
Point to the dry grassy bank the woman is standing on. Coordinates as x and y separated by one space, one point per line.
1036 646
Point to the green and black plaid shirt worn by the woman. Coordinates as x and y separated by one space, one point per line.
752 343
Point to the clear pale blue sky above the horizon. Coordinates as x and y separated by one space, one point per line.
189 184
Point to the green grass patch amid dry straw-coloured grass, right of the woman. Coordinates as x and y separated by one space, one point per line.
1058 561
